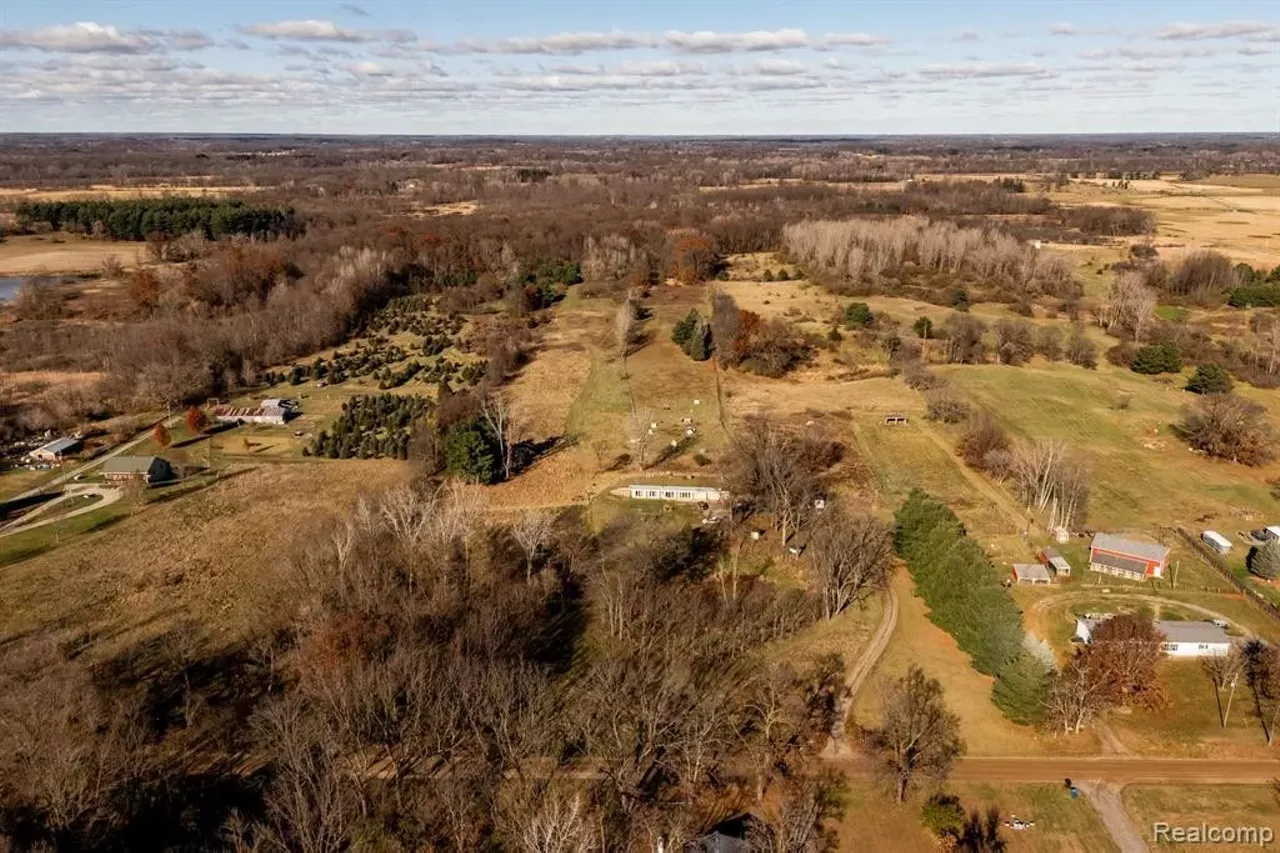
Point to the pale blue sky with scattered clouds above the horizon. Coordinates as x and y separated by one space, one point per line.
642 67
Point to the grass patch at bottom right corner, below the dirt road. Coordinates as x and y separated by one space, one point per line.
1195 805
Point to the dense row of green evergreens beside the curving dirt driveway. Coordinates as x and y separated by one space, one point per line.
967 600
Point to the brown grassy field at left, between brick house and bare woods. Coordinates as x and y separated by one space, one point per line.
209 558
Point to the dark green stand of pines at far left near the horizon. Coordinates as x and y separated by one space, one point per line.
170 217
